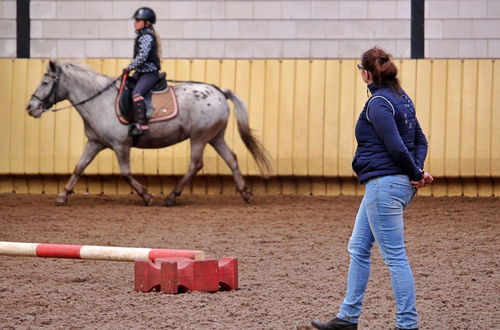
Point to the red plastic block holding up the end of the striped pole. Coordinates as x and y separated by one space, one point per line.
173 275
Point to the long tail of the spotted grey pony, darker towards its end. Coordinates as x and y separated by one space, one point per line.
256 148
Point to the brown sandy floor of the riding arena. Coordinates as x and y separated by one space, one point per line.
292 253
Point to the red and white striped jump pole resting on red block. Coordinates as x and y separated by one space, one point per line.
112 253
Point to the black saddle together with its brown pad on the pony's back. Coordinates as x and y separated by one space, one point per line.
161 102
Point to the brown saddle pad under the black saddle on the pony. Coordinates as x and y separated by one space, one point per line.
164 107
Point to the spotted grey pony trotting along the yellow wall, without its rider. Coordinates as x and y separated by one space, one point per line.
202 118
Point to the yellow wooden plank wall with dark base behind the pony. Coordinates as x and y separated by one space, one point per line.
303 111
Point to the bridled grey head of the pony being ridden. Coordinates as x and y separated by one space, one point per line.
47 93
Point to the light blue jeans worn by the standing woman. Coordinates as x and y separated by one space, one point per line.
380 219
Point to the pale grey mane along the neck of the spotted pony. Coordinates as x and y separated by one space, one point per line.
82 75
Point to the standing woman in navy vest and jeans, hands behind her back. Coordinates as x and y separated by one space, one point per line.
389 161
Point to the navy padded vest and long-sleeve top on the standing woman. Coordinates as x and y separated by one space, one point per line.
390 139
